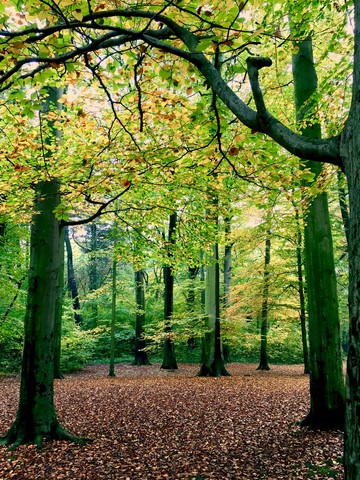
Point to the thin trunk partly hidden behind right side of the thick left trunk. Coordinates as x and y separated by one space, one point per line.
59 309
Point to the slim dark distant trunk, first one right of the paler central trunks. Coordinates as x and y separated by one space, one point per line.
264 365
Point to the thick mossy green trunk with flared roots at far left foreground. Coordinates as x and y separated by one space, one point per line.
36 417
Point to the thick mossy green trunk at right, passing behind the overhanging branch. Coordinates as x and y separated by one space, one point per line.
326 376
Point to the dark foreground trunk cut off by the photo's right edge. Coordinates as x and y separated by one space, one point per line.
350 150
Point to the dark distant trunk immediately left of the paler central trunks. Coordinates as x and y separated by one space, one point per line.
169 359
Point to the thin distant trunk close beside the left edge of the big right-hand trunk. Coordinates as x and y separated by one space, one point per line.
299 261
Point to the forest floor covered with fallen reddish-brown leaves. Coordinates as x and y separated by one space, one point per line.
151 424
